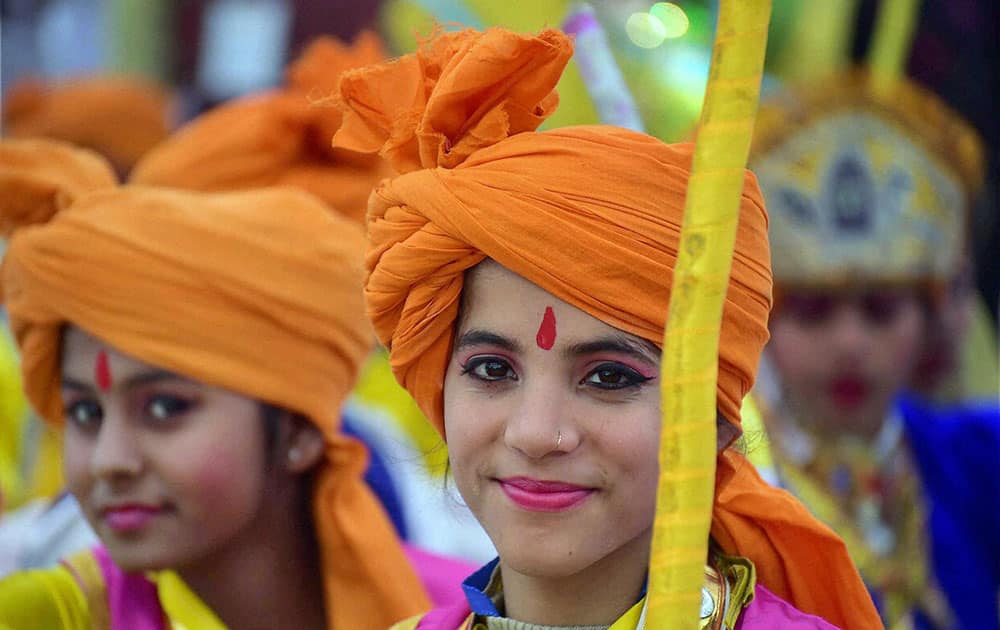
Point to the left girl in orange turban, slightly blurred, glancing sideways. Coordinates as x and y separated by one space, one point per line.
196 348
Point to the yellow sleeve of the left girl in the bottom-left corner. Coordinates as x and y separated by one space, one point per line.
49 599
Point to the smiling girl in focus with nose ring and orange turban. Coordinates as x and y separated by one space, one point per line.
520 281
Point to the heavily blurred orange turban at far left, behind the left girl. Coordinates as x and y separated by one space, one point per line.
118 117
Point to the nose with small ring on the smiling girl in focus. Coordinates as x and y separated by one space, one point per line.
541 423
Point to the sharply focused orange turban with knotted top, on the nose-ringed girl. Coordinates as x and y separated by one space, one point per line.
457 119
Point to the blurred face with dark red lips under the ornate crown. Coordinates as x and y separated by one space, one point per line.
842 356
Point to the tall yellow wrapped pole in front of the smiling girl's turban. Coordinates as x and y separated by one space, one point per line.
685 496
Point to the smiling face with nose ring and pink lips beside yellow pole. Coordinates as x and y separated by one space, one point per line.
552 419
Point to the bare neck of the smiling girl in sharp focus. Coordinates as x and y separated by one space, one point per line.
597 595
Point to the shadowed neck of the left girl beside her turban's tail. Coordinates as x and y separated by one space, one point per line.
269 577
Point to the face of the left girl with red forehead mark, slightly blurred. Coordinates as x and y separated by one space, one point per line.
166 469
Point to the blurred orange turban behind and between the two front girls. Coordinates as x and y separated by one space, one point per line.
278 137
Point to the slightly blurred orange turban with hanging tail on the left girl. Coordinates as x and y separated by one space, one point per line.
257 292
